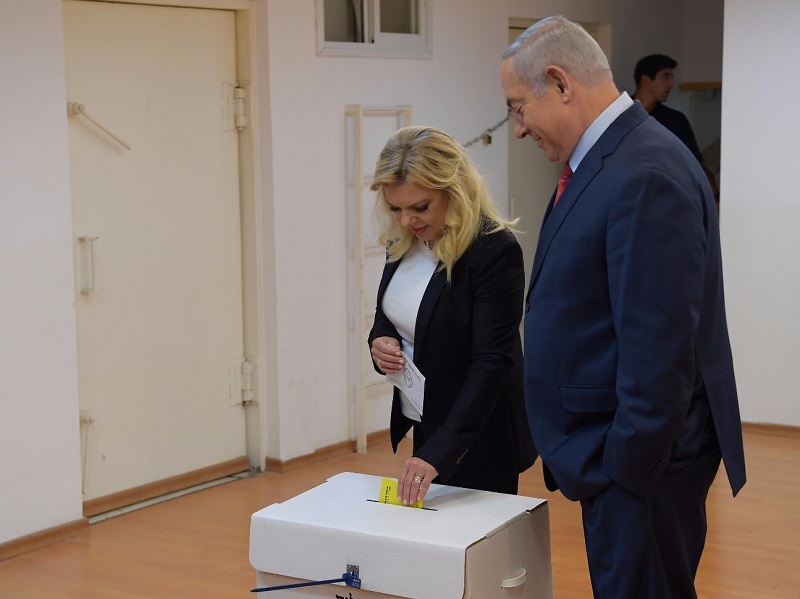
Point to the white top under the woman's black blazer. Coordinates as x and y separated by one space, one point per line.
402 299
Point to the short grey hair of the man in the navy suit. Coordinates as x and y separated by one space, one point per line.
560 42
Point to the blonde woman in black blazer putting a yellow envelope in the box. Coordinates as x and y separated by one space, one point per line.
450 298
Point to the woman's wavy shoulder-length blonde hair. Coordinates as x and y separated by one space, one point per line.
431 158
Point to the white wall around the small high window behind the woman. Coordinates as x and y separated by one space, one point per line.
458 91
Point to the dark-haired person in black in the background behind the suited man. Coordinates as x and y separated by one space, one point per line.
654 81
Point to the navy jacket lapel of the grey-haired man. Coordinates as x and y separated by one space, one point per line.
591 164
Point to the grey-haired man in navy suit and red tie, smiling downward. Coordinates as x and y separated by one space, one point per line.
629 382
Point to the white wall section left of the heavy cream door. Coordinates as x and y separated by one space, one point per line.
39 442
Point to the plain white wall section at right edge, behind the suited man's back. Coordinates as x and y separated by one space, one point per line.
761 204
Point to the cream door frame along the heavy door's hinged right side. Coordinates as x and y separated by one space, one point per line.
257 213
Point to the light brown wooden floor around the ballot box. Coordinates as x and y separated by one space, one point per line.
197 545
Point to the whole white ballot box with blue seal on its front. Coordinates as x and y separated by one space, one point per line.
461 544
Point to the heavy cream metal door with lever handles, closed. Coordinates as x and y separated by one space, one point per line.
158 240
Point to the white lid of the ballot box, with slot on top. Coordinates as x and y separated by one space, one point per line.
316 535
